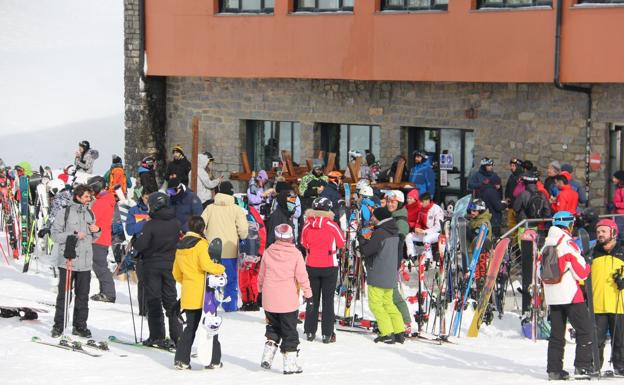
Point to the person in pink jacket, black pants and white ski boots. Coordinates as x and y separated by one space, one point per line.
282 274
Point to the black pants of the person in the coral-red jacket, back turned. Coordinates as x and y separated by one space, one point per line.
323 283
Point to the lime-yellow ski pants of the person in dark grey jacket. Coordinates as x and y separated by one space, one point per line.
385 311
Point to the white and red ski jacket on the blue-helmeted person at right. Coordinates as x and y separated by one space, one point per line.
572 266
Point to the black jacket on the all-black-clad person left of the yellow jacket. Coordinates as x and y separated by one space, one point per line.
159 238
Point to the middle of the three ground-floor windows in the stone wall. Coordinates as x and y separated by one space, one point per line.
342 138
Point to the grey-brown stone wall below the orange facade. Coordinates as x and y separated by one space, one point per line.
528 121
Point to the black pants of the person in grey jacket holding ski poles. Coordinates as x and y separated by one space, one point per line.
81 282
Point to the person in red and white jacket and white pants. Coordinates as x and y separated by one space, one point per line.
427 228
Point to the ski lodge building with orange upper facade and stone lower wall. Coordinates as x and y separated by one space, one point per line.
540 80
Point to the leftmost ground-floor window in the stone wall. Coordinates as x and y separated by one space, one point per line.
266 139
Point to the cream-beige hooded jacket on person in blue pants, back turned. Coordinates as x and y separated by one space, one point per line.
226 220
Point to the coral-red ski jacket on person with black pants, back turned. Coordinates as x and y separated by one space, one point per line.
322 238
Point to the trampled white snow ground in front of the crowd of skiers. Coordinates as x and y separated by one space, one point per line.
499 355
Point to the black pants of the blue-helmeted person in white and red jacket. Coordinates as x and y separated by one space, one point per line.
578 315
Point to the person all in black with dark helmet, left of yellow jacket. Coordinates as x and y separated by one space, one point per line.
157 245
